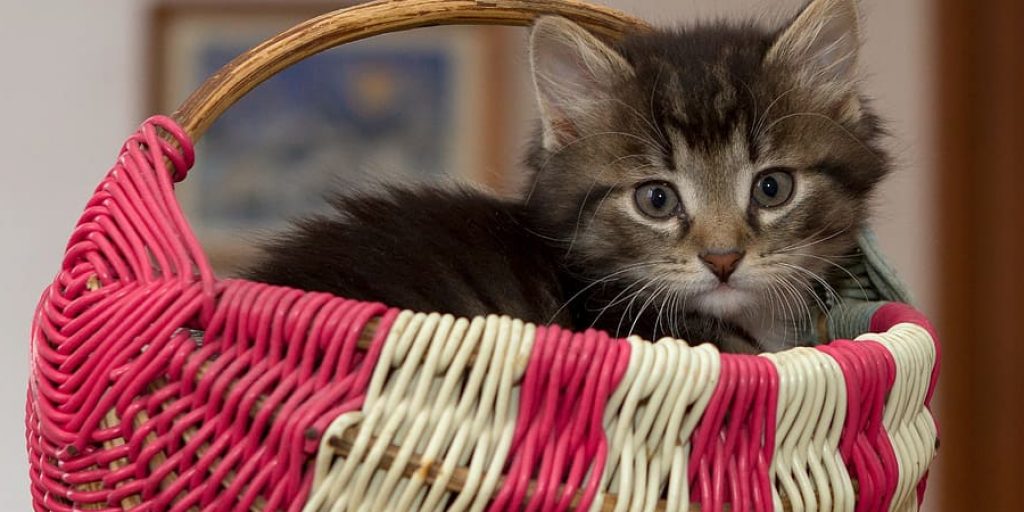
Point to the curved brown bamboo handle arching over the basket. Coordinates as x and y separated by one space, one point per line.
243 74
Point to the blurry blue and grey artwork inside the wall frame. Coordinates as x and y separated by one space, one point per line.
322 124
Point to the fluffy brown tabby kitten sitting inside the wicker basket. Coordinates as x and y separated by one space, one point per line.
703 184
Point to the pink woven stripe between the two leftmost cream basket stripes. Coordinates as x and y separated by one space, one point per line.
560 438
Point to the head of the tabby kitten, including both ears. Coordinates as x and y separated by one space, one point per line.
728 168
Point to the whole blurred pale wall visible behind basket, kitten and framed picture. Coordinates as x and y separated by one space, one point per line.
74 86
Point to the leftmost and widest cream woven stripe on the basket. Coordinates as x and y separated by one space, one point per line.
426 399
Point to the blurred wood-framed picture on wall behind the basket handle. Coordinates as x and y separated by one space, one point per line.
421 106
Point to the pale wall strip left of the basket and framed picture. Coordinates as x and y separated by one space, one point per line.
69 88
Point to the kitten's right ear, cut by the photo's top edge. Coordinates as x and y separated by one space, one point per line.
825 39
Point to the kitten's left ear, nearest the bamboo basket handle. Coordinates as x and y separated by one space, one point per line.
574 71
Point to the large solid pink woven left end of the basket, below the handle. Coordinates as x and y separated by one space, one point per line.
113 343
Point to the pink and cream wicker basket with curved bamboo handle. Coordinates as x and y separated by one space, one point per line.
156 387
